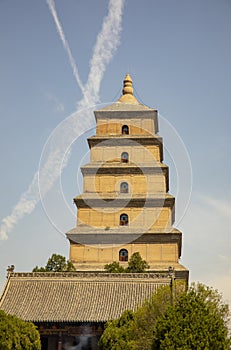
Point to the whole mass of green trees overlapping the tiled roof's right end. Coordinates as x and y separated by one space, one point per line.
196 319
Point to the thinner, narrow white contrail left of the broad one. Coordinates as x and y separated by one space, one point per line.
51 5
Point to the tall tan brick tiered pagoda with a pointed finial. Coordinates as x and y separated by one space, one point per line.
125 206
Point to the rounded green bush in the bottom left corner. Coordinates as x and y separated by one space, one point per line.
17 334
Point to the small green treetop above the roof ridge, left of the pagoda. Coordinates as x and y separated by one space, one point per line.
56 263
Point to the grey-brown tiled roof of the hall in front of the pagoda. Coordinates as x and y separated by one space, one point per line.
77 297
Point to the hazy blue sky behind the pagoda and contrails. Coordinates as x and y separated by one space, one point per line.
178 53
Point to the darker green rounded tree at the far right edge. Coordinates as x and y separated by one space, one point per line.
197 320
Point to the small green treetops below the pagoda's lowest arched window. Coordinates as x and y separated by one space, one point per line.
135 264
